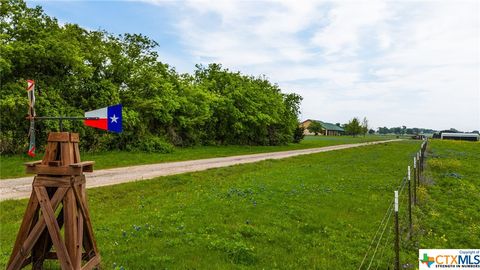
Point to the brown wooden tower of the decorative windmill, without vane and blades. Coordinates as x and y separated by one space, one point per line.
58 200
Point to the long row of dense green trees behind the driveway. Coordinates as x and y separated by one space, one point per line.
78 70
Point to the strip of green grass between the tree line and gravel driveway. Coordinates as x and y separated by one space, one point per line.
12 166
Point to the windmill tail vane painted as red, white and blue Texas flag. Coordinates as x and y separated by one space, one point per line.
109 118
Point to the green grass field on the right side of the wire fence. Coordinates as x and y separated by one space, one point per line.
449 208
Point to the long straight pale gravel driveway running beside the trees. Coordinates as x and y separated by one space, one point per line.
19 188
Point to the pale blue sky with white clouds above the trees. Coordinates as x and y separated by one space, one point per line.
413 63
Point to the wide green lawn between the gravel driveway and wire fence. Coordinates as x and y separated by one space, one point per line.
316 211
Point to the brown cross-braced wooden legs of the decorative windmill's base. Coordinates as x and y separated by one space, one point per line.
38 232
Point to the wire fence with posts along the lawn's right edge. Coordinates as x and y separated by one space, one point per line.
379 253
